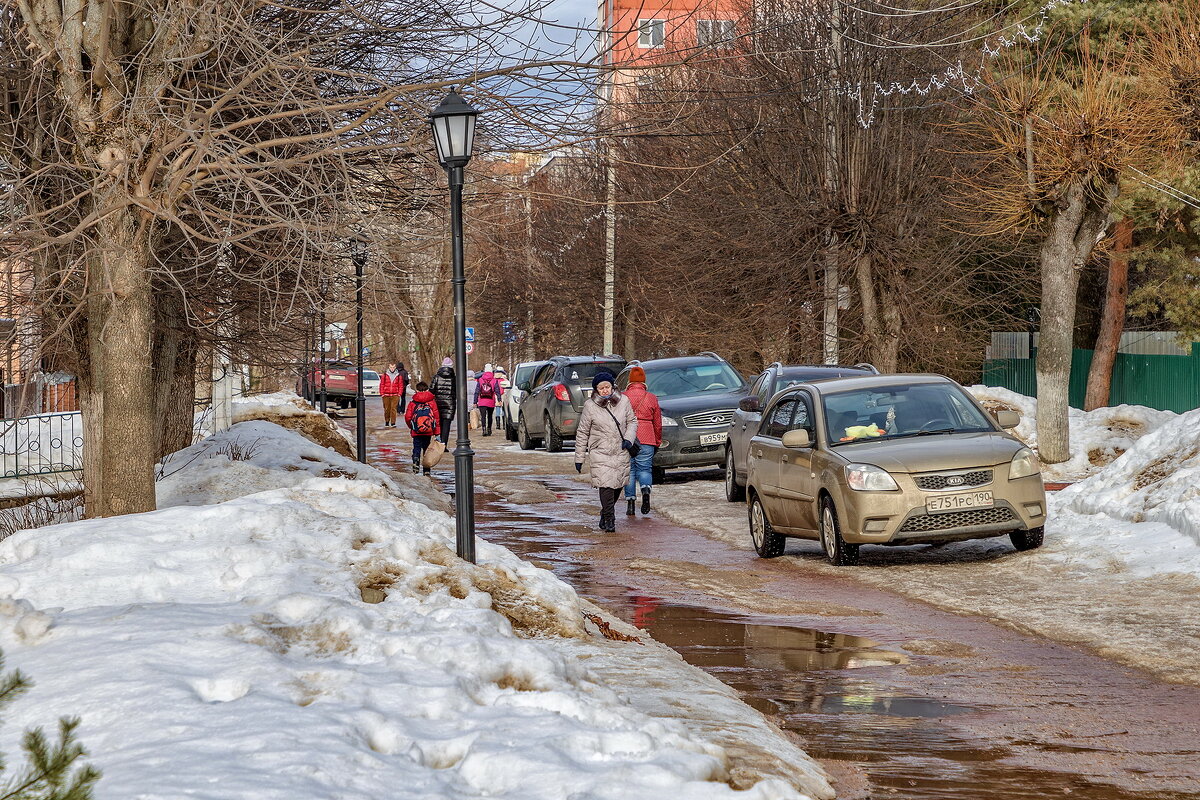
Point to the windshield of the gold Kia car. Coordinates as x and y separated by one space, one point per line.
902 411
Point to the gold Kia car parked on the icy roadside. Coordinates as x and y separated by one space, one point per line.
889 460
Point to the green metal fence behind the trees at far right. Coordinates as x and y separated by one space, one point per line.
1163 382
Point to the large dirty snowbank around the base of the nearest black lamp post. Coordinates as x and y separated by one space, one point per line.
223 648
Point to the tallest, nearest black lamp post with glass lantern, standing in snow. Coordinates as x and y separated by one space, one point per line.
454 134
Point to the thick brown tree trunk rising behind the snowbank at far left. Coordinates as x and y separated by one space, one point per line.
119 476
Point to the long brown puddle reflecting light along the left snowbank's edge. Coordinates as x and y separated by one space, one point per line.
827 688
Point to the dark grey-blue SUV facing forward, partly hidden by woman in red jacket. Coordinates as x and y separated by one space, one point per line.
698 395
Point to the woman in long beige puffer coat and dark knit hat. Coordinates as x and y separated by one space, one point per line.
607 432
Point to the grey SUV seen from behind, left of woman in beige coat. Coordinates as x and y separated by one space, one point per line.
551 410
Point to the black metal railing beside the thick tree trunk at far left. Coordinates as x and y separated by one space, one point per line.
43 444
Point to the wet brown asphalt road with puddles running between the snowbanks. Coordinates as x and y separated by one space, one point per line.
896 699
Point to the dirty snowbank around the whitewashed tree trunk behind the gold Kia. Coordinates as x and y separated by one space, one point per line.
1097 437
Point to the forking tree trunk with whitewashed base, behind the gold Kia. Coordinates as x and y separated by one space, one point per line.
1075 228
